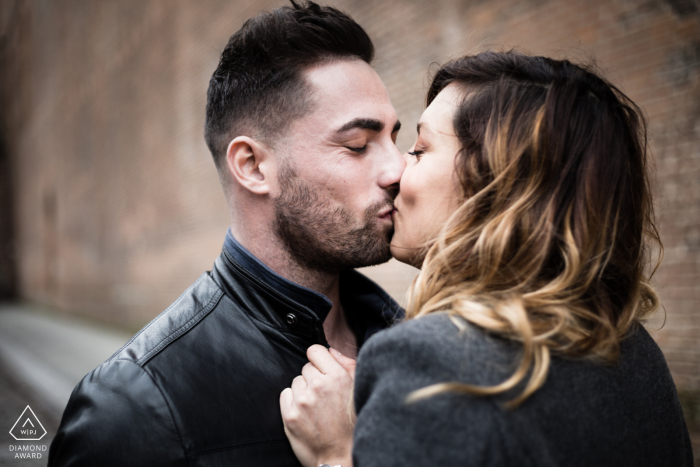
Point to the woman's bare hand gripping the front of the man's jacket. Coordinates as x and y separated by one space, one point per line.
317 410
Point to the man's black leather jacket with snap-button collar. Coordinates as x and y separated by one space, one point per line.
200 384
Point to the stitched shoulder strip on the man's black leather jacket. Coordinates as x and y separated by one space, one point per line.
195 304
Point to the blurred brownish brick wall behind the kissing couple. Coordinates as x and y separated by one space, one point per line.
113 201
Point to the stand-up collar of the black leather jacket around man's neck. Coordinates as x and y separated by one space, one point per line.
368 307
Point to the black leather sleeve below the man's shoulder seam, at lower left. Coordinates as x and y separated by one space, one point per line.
114 405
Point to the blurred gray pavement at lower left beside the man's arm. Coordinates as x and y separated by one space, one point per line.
42 357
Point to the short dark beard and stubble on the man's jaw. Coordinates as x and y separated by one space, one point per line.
325 238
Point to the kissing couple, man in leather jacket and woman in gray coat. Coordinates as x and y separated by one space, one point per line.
526 204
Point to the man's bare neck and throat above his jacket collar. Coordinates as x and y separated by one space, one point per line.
270 250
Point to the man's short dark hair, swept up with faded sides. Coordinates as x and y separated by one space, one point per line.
258 88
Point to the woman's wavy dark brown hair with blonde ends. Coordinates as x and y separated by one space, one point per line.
550 242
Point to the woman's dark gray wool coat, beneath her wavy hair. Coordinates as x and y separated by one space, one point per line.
586 414
